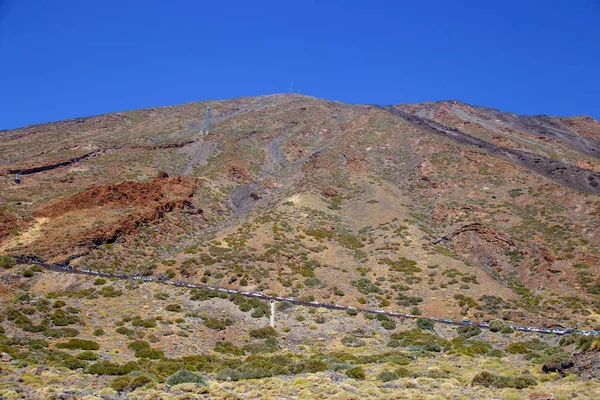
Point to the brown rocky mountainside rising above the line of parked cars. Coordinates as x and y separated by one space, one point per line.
410 205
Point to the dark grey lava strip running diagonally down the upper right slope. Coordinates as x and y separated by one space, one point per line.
570 176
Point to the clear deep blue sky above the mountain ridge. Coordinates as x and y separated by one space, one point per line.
68 58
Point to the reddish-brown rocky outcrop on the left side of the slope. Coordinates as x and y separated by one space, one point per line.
102 214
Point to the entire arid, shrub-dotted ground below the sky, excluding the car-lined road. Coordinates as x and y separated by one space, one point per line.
442 209
